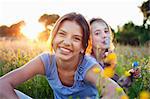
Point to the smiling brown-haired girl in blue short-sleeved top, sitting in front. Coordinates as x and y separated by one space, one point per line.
68 70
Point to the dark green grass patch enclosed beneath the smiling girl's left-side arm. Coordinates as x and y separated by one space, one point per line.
37 88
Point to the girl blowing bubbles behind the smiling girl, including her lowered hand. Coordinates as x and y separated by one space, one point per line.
102 48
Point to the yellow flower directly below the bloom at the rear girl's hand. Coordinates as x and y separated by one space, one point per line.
108 72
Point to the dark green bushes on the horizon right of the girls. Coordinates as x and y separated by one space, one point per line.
132 34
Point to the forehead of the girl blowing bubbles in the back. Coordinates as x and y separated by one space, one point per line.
99 25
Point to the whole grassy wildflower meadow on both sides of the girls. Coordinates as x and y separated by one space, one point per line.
14 54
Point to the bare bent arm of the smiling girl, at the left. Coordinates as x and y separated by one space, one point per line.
9 81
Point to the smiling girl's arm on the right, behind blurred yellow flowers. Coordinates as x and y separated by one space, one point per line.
105 85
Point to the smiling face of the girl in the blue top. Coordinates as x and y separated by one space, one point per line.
67 43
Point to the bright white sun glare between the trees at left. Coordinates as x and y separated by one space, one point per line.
31 30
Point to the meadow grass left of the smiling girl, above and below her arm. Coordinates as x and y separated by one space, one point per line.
14 54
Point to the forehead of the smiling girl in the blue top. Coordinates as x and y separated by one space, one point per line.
71 27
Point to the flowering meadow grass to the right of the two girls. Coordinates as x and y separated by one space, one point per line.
126 56
